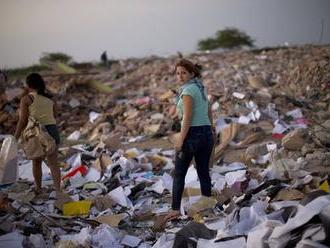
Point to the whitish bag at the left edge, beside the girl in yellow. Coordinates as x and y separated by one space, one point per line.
8 160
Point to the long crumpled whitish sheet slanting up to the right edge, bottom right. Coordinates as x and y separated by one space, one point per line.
279 236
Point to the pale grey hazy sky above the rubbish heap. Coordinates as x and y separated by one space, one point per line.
136 28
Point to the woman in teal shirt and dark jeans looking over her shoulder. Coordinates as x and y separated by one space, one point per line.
195 139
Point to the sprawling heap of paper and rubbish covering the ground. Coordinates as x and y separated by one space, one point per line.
270 169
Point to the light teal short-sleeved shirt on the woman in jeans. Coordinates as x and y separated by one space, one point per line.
200 115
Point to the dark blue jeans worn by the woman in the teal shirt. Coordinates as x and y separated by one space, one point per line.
198 144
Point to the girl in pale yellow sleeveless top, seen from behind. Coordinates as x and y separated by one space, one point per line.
40 105
